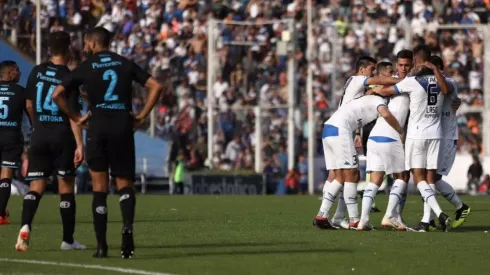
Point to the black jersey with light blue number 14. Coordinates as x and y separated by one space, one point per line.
40 86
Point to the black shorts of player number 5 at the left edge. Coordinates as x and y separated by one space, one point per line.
11 148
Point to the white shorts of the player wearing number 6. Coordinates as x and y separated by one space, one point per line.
421 153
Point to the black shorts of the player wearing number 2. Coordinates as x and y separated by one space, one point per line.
110 146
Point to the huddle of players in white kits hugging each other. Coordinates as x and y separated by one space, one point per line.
417 99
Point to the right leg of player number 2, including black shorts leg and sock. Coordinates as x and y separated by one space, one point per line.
122 163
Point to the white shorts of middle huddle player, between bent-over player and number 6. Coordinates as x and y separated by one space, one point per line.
388 157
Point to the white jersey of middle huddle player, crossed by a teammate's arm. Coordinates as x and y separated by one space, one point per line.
398 106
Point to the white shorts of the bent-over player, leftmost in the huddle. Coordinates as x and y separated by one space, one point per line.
340 152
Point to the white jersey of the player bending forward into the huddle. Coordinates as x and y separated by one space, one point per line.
355 114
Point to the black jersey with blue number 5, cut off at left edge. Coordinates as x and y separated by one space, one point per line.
12 104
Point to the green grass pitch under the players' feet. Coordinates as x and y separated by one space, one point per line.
250 235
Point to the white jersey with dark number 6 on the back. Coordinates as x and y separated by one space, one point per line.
426 102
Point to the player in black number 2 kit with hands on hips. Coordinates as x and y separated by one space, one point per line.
107 79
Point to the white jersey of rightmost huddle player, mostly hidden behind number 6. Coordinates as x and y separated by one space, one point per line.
448 120
